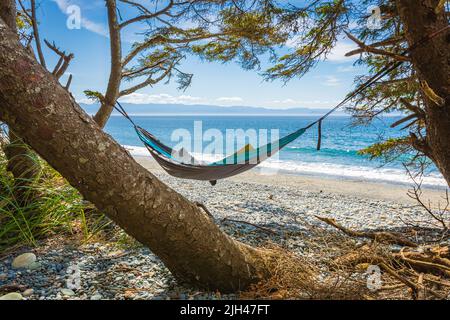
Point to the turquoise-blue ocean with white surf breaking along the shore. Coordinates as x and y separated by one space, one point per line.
338 157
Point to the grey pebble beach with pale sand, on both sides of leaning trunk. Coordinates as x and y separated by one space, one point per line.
253 208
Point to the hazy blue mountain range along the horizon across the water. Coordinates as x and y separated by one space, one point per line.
180 109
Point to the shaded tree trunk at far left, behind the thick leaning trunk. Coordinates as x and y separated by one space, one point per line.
21 161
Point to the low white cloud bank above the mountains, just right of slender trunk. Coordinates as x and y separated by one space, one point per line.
163 98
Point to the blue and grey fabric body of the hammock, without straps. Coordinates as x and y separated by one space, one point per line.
181 164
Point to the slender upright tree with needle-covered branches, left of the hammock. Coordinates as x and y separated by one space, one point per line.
174 29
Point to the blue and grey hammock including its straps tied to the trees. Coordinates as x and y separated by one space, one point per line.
183 165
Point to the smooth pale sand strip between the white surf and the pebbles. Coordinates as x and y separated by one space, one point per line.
347 187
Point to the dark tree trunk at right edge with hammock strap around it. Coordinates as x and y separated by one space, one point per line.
432 62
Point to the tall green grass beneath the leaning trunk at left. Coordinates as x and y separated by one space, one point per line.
48 205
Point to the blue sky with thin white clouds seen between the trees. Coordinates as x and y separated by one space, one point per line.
213 83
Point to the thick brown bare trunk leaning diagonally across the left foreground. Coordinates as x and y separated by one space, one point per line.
195 250
